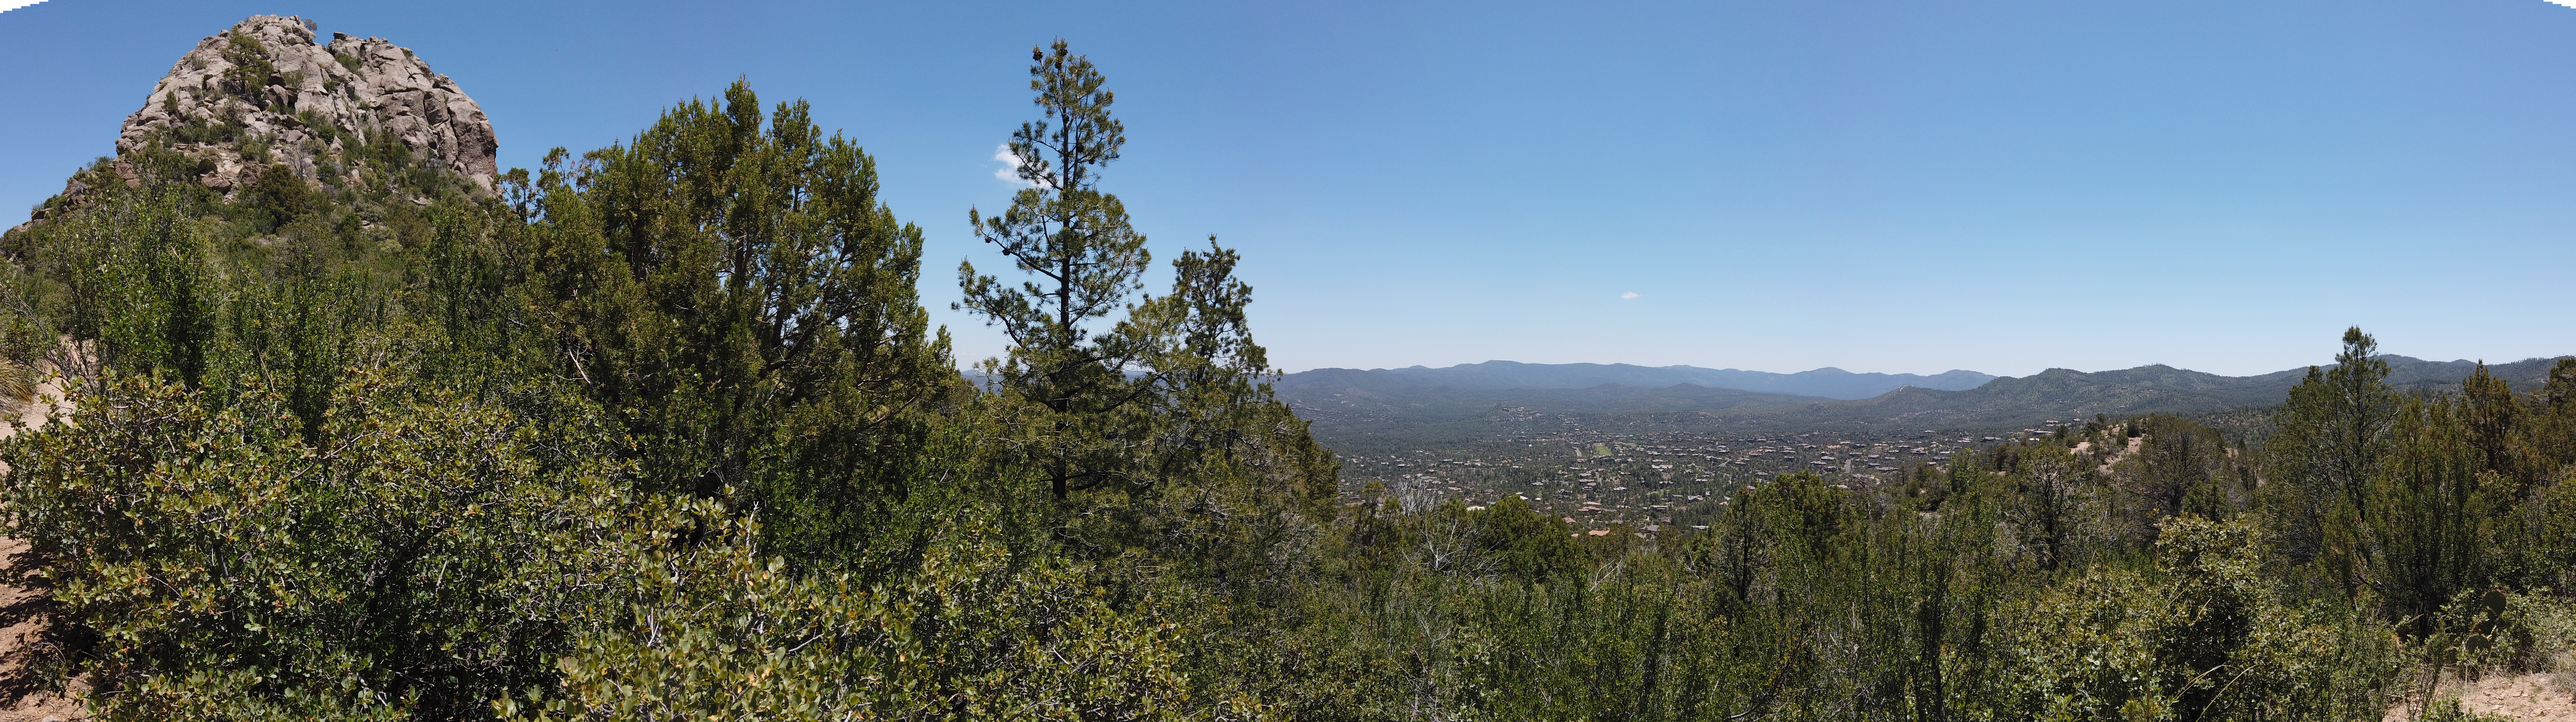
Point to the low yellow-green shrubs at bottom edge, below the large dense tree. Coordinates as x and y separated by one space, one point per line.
980 633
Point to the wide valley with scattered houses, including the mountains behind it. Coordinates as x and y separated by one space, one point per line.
1671 458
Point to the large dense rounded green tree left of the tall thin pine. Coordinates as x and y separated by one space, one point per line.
735 293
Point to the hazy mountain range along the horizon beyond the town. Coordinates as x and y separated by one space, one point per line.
1423 401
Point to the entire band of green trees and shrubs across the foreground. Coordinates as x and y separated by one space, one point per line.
663 432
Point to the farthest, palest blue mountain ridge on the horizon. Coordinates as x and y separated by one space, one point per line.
1513 375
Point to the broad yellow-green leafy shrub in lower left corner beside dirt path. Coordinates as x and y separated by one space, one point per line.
223 569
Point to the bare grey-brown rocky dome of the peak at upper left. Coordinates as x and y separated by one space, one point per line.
269 81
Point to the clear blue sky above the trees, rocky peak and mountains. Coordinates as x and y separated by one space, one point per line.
1879 187
